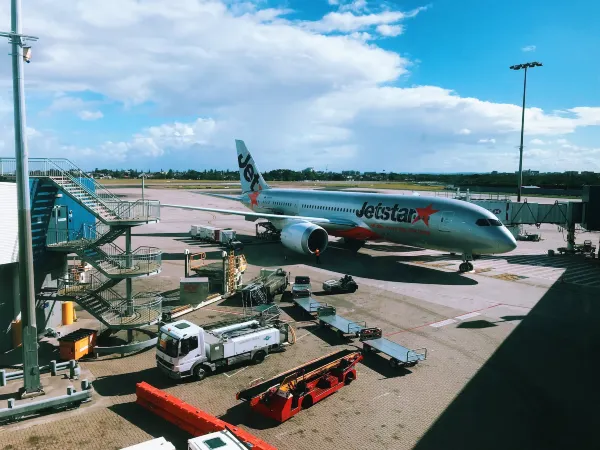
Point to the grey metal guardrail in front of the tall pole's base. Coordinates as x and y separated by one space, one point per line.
15 412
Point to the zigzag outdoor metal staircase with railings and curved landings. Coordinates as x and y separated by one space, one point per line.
94 245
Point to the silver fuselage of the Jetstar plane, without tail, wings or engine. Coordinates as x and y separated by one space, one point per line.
421 221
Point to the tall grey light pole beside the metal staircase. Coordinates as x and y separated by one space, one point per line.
20 52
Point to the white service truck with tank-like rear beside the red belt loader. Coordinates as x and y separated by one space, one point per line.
184 349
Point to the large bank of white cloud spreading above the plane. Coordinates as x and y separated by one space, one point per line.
300 93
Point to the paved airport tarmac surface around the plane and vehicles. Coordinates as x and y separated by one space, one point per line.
510 349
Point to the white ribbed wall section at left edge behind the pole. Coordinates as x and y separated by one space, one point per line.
9 247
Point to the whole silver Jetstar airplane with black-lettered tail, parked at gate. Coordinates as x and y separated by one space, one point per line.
306 218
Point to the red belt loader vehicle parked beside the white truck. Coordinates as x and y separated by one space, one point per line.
288 393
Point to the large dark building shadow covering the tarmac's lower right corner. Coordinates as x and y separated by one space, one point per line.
539 390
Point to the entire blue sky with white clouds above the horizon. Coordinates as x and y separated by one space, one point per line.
405 86
